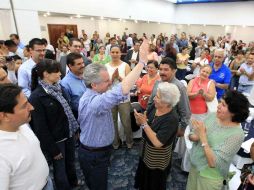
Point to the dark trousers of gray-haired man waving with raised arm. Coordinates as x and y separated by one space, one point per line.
94 165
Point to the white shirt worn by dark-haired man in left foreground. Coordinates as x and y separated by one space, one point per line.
22 163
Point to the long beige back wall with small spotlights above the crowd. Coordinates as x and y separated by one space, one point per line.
117 27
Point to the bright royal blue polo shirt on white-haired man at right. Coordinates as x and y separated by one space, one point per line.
222 76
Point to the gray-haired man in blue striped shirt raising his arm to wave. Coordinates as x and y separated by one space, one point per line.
96 122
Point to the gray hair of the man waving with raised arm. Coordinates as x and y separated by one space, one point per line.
92 74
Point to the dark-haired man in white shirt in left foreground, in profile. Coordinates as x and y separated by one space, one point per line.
23 165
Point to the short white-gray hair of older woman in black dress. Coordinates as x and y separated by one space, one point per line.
169 93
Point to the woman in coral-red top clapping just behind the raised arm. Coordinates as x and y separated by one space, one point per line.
145 85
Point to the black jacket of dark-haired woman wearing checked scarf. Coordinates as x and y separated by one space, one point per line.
49 121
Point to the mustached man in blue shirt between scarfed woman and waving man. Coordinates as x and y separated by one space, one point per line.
73 83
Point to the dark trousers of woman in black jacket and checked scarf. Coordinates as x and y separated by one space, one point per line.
64 170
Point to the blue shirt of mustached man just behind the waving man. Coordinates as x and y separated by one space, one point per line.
74 87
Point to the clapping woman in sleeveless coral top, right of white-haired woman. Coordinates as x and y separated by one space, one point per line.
201 90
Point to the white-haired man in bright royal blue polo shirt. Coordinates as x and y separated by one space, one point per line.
220 73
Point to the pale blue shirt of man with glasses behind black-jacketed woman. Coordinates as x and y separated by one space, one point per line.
24 76
